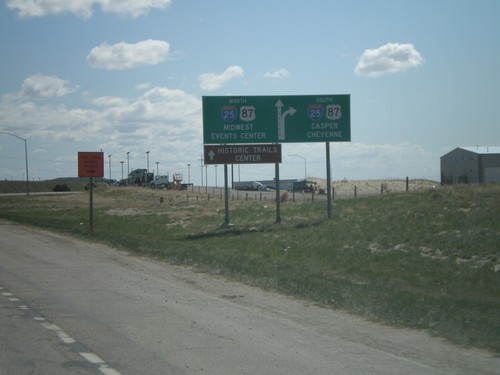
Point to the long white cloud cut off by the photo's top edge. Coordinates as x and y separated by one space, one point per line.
84 8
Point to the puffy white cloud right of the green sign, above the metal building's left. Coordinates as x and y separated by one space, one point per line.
390 58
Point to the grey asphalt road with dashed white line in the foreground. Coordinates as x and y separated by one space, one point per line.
70 307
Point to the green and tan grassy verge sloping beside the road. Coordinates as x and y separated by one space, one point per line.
427 259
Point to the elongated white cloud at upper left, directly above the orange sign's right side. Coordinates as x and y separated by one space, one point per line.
123 55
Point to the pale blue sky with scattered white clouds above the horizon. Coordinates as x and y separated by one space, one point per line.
128 76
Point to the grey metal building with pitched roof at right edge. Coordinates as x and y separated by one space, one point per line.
469 165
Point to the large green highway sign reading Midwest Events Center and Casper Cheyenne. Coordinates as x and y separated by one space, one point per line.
276 119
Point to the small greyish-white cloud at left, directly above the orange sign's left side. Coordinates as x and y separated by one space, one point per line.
40 86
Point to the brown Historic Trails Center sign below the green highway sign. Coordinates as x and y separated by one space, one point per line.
242 154
